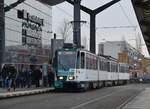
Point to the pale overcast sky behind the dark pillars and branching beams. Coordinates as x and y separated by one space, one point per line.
120 14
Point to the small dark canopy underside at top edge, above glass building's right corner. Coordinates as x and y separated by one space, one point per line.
51 2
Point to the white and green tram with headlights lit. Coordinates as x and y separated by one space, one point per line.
79 69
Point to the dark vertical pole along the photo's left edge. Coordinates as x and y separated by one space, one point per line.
2 32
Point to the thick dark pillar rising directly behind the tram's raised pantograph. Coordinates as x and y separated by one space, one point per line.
77 27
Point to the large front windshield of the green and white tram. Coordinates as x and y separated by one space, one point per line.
66 60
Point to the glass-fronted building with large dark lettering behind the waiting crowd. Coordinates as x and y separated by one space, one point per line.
27 33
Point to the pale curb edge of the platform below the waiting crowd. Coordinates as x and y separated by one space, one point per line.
24 93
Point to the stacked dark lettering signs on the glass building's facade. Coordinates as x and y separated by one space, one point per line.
31 29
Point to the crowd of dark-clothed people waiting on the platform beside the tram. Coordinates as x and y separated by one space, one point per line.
25 78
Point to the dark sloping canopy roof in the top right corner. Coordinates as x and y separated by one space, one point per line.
142 10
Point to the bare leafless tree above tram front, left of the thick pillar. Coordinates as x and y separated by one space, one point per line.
65 29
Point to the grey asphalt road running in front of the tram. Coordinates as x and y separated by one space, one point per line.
105 98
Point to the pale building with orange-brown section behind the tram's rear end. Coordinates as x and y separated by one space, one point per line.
125 53
